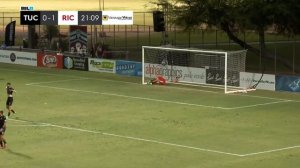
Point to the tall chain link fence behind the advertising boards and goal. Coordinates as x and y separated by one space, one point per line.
125 42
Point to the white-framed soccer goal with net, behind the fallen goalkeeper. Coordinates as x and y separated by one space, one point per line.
220 69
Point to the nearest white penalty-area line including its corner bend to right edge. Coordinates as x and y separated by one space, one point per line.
161 142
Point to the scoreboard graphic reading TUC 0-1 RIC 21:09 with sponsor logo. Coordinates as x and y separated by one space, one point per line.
76 17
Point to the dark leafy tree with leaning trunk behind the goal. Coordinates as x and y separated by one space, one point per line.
240 15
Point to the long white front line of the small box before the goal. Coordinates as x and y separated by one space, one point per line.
132 97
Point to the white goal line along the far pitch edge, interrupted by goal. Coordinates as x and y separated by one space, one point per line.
134 83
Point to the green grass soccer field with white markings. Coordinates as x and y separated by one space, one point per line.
74 119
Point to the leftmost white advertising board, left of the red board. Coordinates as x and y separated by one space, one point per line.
18 57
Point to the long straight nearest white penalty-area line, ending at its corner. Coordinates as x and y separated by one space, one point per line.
136 138
